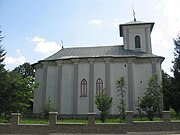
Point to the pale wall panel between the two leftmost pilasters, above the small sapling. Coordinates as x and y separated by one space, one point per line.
51 91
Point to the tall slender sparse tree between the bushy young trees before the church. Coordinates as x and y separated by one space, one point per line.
121 89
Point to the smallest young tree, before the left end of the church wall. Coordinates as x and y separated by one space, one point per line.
48 107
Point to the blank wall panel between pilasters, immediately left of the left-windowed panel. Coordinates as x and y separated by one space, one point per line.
67 89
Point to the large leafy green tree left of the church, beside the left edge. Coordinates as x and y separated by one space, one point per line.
17 93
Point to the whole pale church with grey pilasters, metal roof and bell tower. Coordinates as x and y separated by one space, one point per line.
72 77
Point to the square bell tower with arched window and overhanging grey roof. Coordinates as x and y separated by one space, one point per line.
137 36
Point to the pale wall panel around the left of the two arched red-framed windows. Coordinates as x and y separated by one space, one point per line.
83 102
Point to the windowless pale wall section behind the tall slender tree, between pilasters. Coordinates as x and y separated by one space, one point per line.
117 70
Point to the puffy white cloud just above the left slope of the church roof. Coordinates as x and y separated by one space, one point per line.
45 47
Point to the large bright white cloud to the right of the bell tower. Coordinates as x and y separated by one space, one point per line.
168 27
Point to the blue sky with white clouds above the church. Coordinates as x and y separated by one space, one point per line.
36 29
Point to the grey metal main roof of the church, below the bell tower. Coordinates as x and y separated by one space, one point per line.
95 52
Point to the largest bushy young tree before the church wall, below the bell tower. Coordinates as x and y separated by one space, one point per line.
152 98
